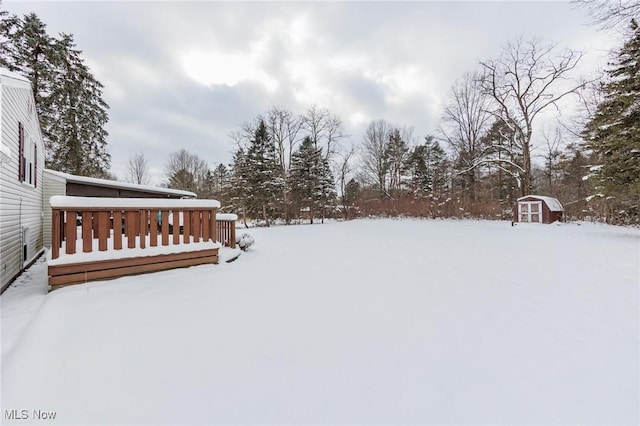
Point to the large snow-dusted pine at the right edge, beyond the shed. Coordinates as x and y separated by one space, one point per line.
614 131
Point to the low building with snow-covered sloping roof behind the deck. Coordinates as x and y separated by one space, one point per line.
58 183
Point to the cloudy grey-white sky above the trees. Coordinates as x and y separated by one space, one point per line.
186 74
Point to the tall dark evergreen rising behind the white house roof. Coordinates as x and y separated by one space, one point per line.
68 97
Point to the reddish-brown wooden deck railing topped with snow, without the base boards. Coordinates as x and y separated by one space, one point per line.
108 220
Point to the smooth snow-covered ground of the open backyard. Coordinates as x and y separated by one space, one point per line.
362 322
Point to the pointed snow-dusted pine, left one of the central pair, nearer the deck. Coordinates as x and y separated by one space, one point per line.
264 176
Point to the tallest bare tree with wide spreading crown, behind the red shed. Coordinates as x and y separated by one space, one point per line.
525 81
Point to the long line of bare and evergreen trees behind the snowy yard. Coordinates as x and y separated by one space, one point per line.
478 162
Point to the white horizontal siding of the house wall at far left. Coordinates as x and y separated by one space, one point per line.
20 202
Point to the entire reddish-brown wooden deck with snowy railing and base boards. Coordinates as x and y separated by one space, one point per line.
102 238
